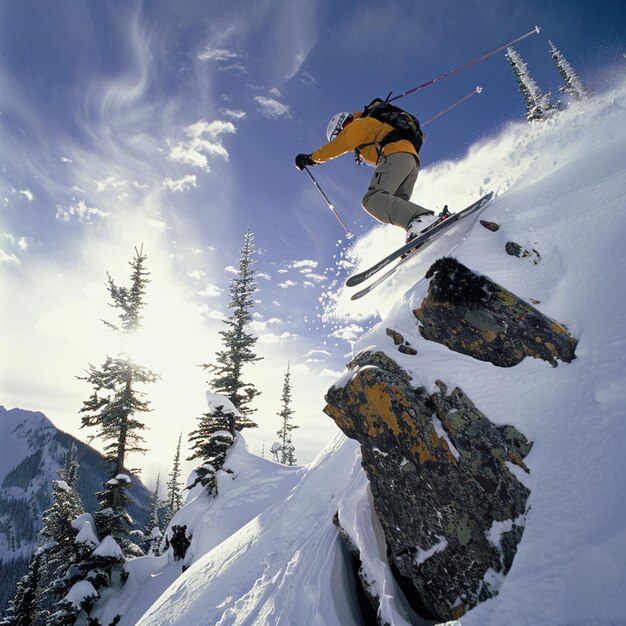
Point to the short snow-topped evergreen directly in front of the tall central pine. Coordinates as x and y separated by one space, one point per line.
210 443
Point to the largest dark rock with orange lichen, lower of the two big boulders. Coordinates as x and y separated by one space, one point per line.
451 510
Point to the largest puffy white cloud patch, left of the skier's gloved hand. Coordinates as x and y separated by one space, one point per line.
203 142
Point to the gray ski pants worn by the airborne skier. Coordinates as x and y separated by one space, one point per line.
389 190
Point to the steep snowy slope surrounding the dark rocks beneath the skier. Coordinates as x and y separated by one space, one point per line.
561 189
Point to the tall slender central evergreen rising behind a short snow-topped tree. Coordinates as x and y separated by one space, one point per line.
238 342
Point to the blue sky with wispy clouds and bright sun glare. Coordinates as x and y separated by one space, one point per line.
175 125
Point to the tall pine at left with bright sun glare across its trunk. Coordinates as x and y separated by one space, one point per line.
115 404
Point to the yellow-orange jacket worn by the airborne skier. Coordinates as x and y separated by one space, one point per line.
360 132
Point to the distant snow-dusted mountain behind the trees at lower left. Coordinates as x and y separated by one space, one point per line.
31 452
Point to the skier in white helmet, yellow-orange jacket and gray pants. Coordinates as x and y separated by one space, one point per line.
396 161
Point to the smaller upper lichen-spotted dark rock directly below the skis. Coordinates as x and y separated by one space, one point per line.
472 315
